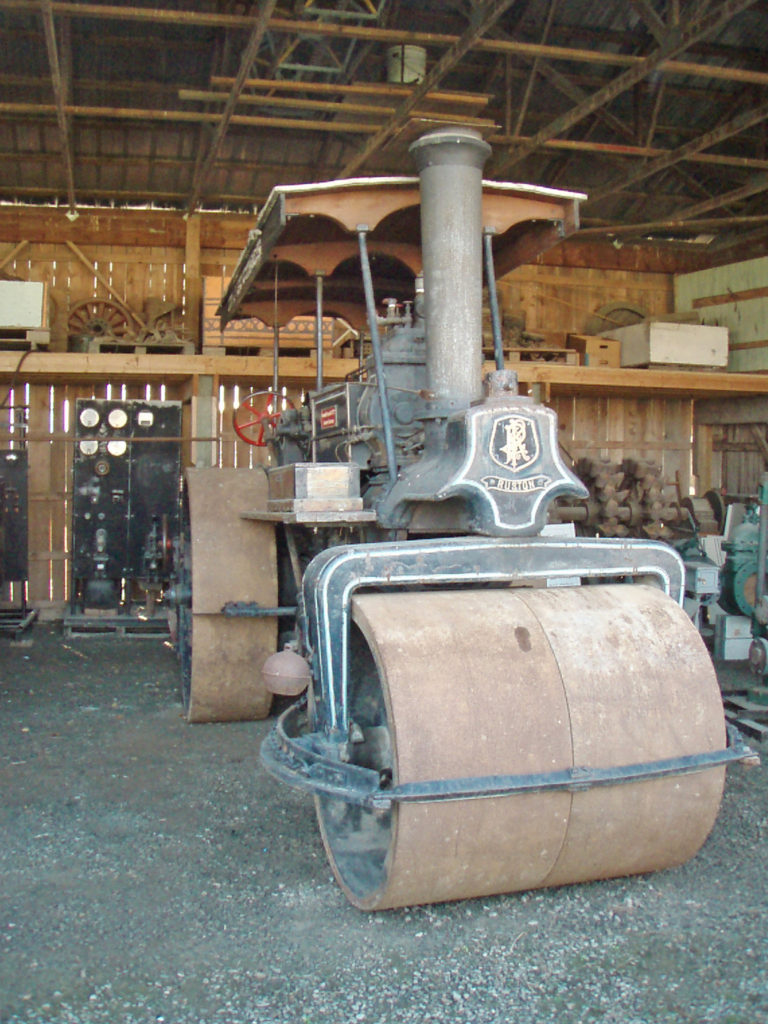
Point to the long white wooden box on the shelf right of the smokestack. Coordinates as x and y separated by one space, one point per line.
666 344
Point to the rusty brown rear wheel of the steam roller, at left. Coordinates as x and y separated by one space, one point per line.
233 560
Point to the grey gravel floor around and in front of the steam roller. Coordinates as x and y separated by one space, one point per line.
151 872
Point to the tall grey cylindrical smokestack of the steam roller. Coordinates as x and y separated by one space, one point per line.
450 163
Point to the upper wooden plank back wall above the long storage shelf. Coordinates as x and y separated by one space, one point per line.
144 255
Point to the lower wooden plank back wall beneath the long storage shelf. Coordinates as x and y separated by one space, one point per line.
613 429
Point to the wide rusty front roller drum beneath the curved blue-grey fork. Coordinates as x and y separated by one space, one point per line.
471 684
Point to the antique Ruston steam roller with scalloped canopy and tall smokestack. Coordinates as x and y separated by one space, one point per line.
491 704
